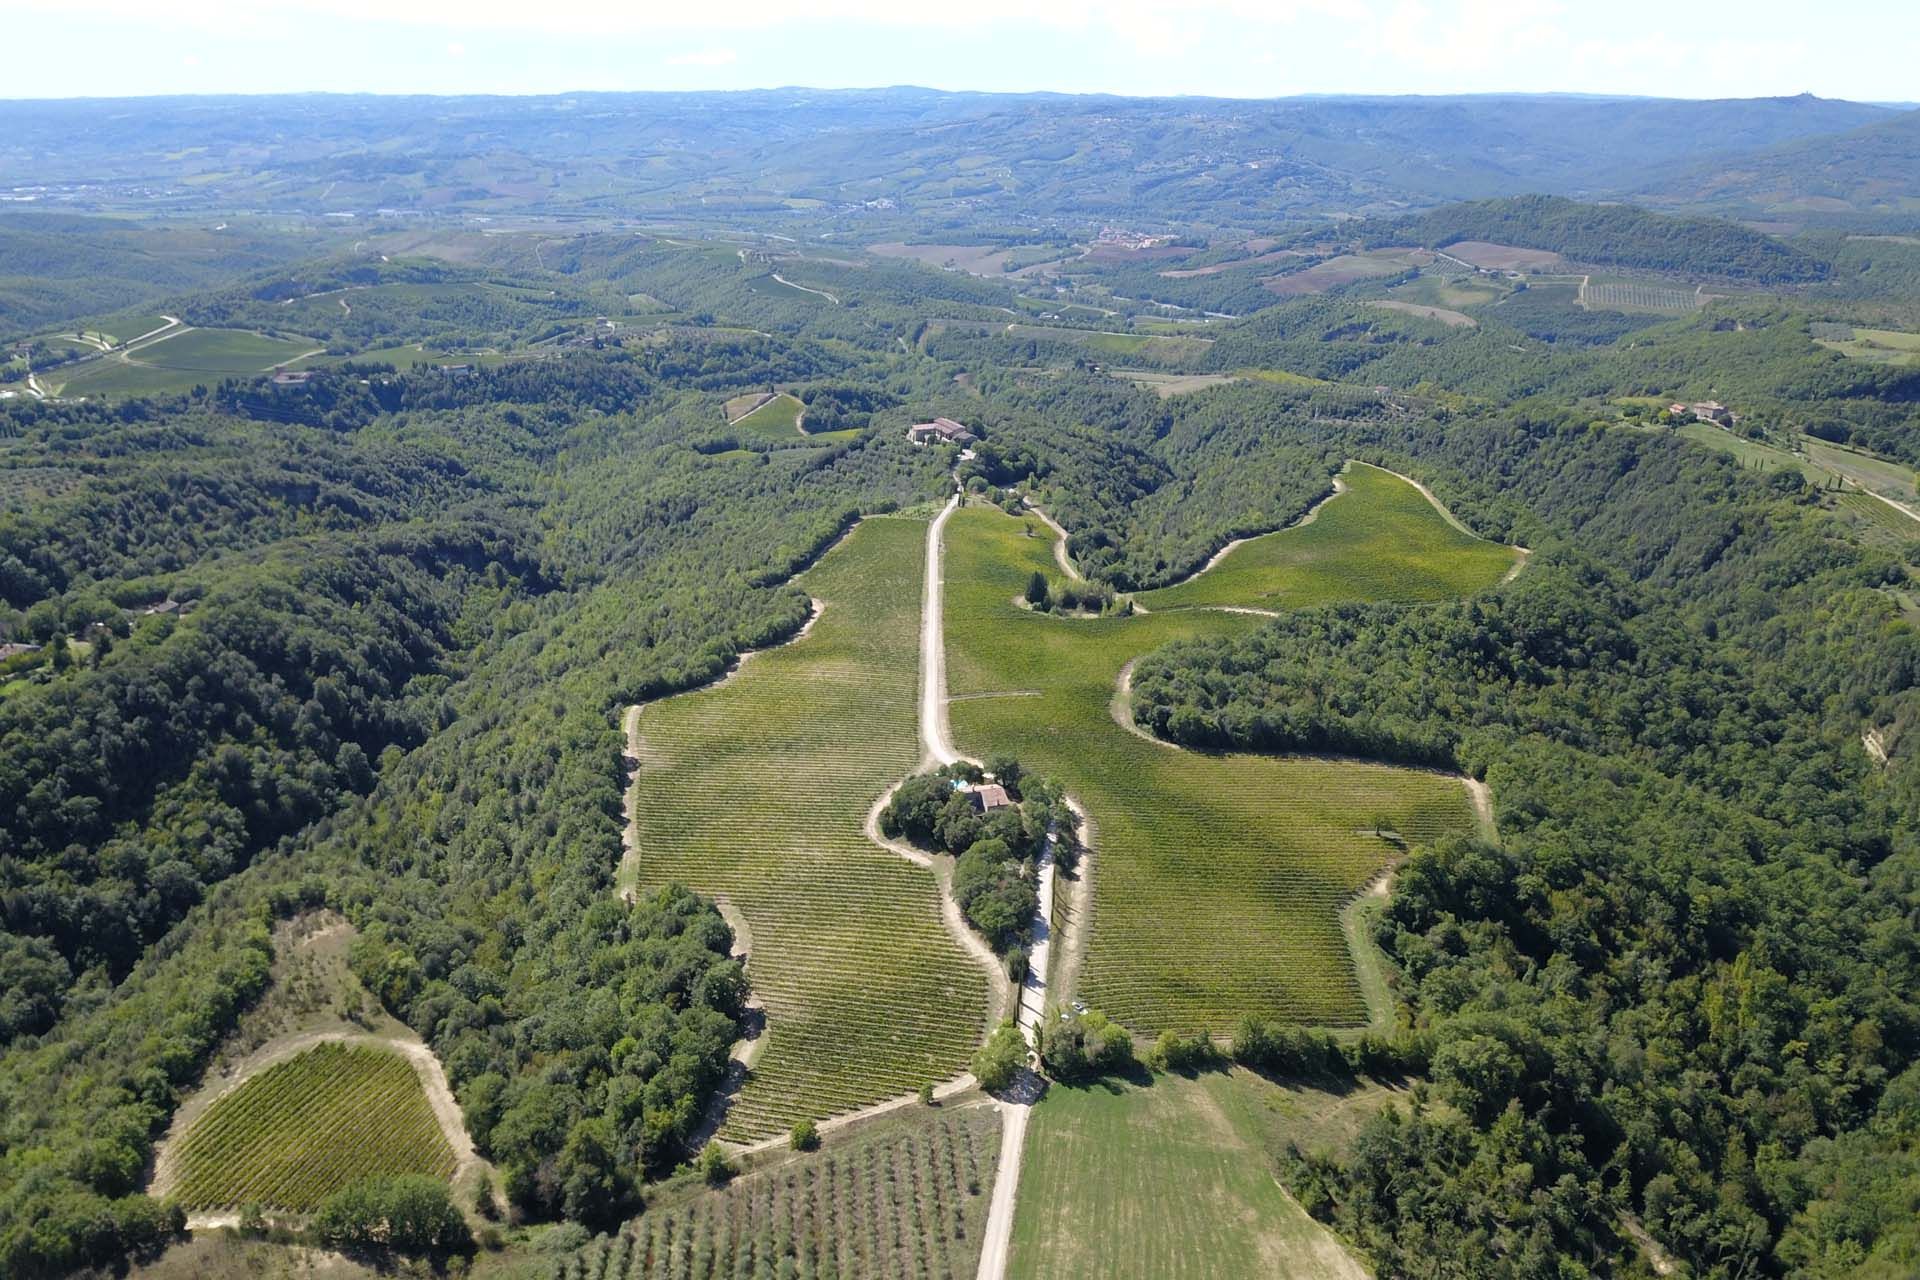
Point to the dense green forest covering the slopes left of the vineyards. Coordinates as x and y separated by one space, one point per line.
406 715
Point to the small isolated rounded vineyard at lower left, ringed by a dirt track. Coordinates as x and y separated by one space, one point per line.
306 1127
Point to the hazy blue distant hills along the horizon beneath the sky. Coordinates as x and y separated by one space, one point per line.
911 154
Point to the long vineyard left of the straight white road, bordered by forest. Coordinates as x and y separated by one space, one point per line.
757 792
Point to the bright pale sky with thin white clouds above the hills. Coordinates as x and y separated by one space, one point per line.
1239 49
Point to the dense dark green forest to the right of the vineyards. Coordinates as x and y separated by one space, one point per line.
1685 984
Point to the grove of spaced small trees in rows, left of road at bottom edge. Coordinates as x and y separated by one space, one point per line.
909 1202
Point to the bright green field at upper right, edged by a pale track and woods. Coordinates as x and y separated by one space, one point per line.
1380 542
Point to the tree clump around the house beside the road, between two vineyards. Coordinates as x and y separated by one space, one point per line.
996 851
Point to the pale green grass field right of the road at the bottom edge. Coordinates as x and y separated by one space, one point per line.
1166 1183
